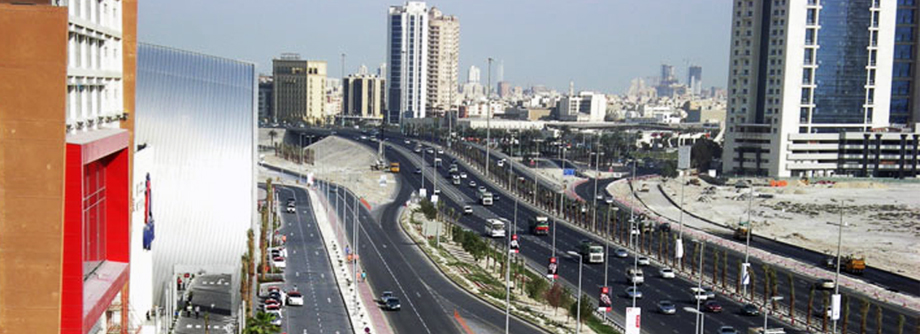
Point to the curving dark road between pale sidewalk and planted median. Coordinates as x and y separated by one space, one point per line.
430 302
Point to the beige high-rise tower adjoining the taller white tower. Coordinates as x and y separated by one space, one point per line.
443 54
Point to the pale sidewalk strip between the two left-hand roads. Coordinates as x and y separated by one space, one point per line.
362 318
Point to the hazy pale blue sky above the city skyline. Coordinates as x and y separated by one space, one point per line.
599 44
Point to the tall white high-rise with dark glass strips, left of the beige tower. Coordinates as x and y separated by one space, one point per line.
407 56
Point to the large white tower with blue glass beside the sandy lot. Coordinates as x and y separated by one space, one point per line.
811 92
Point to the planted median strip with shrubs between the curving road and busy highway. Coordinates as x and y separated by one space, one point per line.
477 265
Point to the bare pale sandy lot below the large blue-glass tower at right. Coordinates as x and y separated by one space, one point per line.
882 220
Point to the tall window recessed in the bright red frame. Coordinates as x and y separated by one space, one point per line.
94 223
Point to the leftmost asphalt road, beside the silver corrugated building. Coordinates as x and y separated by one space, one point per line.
308 269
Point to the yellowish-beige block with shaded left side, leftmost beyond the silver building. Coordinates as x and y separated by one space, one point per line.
299 89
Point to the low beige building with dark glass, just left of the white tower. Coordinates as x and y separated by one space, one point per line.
363 96
